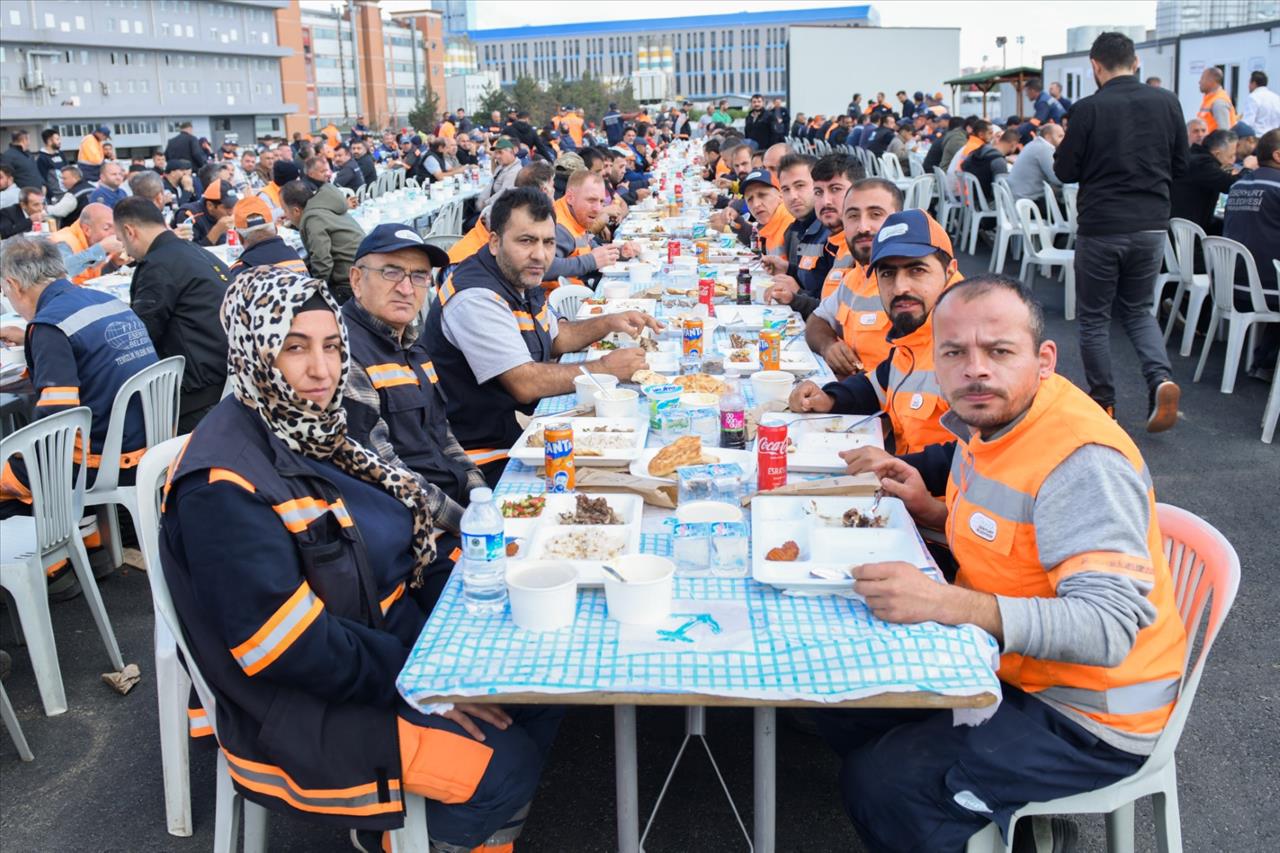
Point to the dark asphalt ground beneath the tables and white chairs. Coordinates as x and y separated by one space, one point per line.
97 786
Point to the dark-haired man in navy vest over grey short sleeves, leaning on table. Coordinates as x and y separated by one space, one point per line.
495 341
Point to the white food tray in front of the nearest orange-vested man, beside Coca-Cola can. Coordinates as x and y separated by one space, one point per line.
828 553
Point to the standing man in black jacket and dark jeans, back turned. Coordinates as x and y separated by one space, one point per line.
1124 145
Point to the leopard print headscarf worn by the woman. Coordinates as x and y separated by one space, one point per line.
258 312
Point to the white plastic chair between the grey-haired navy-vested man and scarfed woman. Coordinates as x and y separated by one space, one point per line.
158 387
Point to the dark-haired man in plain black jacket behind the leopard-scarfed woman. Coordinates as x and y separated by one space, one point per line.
177 293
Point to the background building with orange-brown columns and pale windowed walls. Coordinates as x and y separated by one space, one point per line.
376 69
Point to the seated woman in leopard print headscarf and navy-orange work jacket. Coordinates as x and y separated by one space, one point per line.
294 556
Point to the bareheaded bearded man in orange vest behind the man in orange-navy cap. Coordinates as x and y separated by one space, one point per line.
851 327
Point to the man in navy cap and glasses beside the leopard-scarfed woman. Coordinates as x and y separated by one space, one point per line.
394 400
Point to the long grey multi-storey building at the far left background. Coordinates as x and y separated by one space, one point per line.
144 66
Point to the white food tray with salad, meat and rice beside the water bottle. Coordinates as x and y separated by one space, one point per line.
534 536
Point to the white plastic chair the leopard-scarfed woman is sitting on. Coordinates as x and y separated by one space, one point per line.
173 686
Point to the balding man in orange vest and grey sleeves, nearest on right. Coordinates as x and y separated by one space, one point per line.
1053 519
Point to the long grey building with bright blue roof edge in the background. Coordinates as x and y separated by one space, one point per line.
701 57
